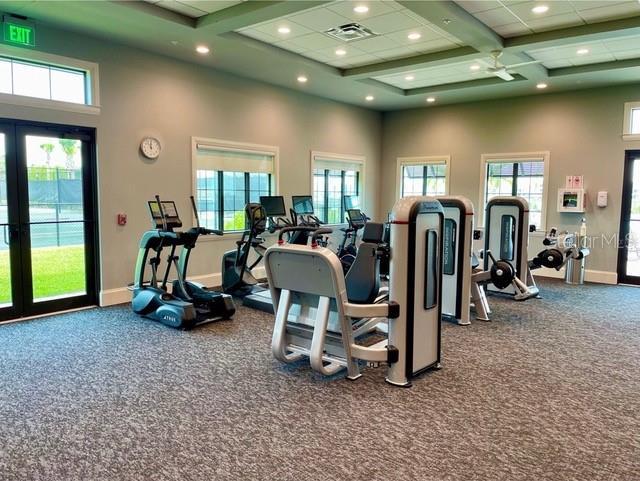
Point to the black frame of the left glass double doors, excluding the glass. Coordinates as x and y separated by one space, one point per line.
22 128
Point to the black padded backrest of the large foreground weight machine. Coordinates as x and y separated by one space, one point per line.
363 278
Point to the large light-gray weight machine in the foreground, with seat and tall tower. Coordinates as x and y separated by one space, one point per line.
316 320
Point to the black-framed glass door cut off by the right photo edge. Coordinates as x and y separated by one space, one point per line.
629 253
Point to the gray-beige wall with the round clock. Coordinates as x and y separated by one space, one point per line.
146 94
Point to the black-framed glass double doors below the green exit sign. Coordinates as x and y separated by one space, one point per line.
48 227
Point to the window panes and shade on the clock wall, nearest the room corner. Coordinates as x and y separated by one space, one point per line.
333 178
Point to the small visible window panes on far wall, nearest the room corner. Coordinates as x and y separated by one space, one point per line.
422 176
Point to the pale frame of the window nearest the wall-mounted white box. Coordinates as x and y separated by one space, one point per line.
487 159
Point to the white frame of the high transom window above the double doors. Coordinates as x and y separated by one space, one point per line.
92 85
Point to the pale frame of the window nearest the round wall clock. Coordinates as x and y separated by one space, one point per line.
237 146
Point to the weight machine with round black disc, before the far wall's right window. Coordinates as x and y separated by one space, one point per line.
506 236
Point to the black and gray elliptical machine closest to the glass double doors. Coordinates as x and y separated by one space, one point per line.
189 304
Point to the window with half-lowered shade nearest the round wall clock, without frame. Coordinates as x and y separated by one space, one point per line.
227 177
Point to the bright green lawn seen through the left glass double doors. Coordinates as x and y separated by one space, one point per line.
56 271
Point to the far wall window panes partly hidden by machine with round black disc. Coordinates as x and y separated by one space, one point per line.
524 178
